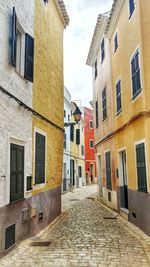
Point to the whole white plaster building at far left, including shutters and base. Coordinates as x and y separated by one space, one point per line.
17 21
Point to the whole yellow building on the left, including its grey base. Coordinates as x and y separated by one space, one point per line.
48 100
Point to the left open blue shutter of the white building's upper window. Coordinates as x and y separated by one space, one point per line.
13 38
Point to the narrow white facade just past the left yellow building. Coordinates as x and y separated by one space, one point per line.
66 157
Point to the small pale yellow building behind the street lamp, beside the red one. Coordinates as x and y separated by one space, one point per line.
77 155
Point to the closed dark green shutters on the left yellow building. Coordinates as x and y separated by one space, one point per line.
40 158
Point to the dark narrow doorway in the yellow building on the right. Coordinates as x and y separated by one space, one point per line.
124 182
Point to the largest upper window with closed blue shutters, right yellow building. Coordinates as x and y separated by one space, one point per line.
136 78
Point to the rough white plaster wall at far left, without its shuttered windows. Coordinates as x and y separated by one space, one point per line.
15 121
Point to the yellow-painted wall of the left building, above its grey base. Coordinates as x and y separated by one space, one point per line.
48 89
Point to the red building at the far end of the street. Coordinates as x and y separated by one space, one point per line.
90 162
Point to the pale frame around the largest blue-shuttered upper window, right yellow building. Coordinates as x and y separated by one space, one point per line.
139 91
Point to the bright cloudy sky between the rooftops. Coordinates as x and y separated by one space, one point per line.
77 39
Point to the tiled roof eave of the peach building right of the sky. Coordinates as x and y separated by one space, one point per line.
95 39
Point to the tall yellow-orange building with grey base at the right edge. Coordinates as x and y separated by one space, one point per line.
128 31
